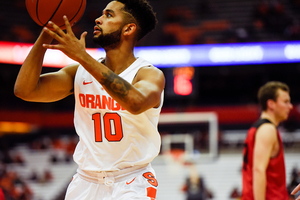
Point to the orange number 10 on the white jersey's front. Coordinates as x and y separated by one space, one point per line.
113 131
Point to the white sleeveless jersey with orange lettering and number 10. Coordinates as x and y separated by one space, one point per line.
111 138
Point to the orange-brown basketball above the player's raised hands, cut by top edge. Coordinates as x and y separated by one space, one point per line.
42 11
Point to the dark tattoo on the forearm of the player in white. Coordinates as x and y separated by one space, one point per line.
116 84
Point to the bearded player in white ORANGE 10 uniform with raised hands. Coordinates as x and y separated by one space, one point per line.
117 102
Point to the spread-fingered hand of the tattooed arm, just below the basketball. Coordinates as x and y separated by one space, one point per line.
67 41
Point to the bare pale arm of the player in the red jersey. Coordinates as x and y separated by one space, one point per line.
265 139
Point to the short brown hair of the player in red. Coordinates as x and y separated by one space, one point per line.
270 91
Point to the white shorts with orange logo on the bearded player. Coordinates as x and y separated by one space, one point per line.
138 183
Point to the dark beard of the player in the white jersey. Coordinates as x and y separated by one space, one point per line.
109 40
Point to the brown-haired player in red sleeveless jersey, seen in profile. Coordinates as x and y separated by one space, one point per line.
263 167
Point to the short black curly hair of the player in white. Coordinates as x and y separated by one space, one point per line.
143 13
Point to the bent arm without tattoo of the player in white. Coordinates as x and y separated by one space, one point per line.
32 86
